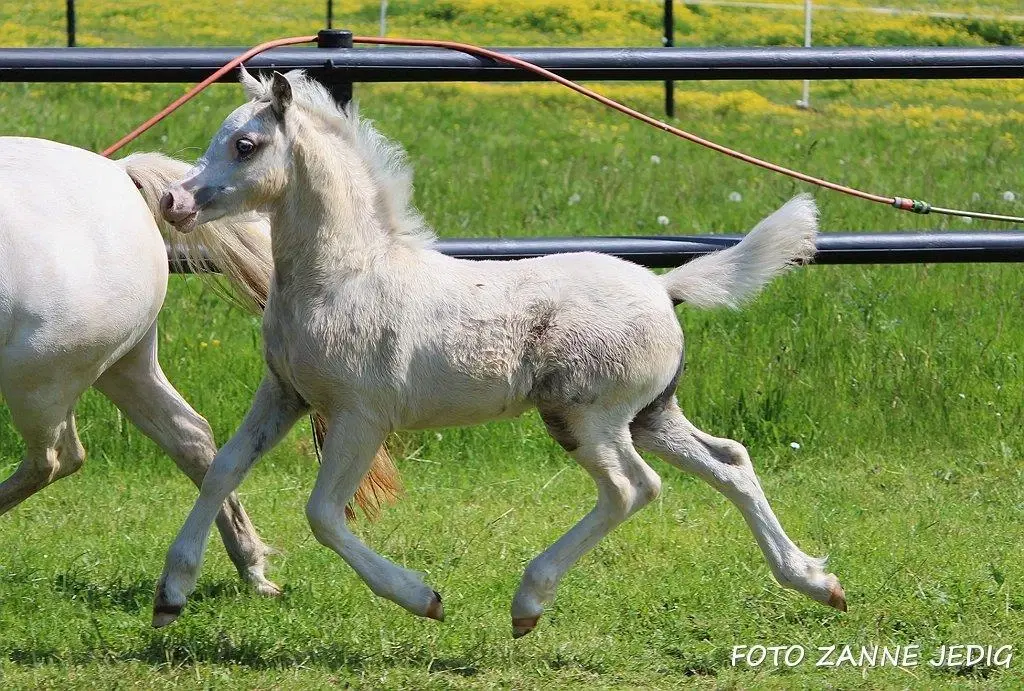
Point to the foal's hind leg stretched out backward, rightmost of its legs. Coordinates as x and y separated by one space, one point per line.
726 465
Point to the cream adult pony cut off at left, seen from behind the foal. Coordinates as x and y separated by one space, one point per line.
83 275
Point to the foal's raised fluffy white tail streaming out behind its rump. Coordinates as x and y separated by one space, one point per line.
731 278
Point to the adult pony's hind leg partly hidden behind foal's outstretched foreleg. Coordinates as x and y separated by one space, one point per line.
137 384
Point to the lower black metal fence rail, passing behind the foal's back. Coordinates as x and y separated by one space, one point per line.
834 248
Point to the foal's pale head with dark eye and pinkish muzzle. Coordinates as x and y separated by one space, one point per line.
246 165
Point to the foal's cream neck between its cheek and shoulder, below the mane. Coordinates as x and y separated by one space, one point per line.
327 225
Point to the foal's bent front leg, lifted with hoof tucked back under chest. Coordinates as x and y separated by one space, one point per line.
349 451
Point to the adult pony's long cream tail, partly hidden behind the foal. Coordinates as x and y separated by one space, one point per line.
240 249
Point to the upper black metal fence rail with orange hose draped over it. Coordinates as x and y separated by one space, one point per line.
416 65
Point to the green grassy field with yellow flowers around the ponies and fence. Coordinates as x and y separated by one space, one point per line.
904 387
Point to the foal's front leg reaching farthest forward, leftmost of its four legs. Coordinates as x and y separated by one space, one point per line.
275 410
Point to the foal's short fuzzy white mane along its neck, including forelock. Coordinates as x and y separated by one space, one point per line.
386 160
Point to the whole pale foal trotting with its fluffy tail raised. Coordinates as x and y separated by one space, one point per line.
370 325
